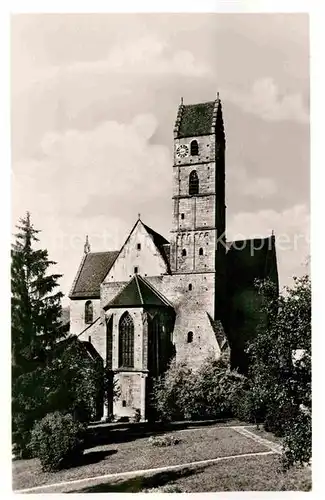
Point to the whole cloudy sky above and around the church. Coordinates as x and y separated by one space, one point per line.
94 102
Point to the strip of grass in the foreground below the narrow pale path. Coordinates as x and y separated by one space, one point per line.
261 473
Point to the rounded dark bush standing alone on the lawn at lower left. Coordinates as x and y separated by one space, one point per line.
57 440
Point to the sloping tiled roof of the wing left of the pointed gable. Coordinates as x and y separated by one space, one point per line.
92 271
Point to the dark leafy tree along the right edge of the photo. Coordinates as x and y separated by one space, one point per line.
283 382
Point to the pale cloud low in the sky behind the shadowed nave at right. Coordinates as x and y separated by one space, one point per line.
291 228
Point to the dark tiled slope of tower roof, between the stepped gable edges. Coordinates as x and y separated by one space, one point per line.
196 119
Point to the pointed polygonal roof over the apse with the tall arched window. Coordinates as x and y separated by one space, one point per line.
138 292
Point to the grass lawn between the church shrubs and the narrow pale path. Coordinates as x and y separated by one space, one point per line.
195 444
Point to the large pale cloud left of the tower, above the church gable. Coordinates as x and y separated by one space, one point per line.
115 162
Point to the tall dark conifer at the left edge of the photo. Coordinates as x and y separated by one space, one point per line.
36 310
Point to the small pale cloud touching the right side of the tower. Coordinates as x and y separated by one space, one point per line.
257 187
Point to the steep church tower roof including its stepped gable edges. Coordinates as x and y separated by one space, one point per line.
199 119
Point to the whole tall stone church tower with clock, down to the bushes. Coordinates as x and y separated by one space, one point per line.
197 254
